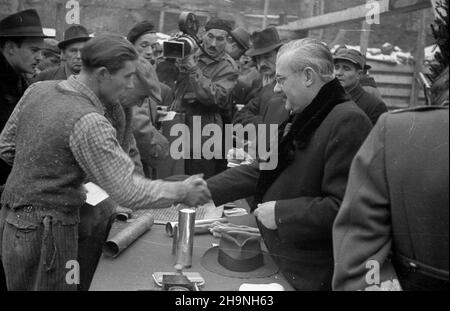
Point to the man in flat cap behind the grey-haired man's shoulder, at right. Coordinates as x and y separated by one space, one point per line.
349 66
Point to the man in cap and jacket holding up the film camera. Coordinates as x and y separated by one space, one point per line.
203 88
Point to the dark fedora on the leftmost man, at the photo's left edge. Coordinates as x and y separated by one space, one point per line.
22 24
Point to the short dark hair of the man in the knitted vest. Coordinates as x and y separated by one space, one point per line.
110 51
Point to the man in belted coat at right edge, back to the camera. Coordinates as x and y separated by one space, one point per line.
392 229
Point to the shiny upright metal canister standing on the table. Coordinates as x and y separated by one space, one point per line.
185 237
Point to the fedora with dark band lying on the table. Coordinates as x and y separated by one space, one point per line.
239 255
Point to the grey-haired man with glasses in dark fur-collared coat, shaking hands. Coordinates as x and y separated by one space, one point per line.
299 199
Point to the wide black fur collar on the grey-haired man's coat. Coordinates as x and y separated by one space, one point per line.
295 133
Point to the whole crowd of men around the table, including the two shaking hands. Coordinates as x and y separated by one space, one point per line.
353 184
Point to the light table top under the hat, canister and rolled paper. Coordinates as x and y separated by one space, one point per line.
152 252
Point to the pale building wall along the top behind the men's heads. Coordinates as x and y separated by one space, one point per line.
120 15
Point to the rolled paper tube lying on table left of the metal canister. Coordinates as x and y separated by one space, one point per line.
115 245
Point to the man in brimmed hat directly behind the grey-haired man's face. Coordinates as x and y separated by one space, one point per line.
267 107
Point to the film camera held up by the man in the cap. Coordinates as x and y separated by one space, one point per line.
185 42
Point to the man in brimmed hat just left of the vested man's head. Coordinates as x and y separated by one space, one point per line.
74 39
